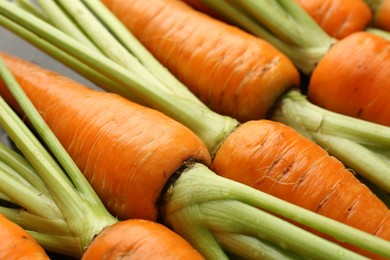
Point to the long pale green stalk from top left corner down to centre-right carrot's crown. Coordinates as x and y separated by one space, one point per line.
131 85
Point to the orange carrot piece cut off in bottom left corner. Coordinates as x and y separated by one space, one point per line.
17 243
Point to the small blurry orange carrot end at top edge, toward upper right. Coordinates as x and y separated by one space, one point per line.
339 18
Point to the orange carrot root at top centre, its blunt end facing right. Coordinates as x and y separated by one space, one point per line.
233 72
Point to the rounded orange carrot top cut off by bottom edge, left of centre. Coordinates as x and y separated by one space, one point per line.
139 239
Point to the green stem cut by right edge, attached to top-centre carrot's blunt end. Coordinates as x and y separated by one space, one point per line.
359 144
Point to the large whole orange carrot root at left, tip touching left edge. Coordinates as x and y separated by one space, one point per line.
126 151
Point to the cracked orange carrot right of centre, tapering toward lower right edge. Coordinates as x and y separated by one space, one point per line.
272 157
